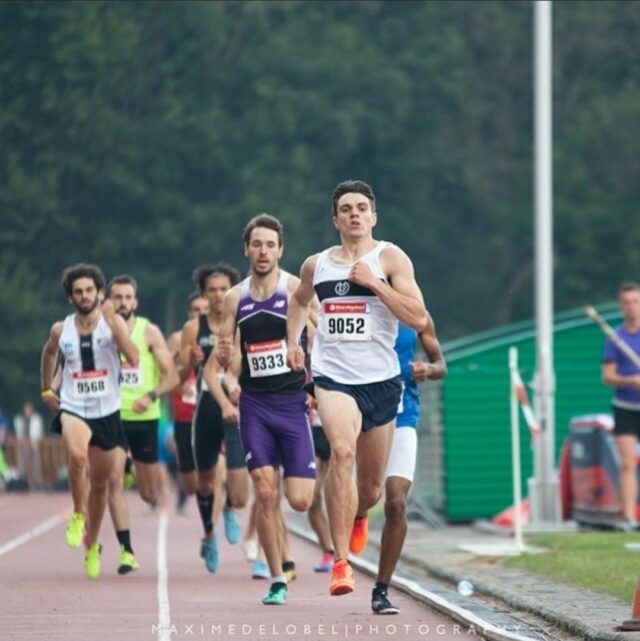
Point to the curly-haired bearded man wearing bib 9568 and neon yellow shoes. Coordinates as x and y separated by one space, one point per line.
88 406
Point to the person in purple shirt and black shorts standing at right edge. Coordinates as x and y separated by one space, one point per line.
621 373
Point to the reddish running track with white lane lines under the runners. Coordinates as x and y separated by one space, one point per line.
44 593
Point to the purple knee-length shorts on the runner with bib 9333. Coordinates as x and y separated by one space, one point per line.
275 430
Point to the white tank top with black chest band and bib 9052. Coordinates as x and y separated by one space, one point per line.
356 331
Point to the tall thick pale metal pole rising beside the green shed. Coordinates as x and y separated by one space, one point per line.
543 488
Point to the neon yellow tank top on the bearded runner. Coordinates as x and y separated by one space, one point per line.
137 381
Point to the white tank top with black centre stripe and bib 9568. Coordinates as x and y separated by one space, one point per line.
91 370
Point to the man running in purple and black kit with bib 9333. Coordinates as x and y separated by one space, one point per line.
274 423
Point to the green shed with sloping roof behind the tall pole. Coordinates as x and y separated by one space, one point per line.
465 434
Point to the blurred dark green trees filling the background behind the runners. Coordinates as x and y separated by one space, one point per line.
142 137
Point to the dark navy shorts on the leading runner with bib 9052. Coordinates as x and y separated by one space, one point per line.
377 402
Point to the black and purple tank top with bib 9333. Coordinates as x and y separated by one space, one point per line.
263 341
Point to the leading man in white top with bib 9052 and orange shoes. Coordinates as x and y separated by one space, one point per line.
365 286
